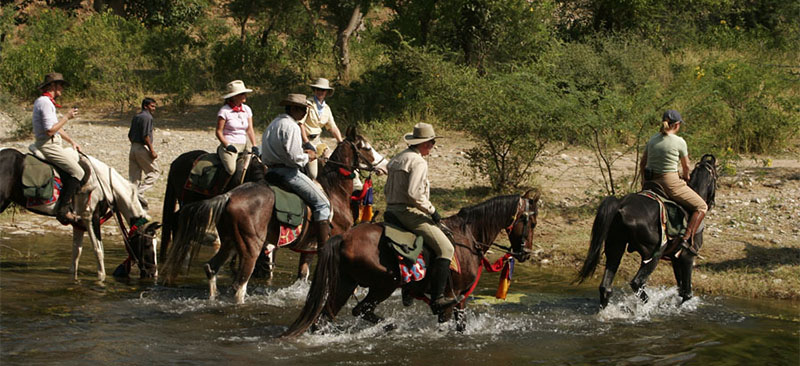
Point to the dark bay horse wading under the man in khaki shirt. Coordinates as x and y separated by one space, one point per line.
356 258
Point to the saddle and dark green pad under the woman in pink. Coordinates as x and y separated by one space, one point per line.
208 177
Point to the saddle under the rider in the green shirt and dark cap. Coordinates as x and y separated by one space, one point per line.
673 216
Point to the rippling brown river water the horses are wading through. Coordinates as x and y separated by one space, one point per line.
45 318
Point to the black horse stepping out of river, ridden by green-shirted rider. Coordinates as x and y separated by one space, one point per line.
634 222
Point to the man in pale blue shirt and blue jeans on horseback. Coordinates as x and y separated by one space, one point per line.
282 152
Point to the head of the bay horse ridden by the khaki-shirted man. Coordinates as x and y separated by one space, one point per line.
520 232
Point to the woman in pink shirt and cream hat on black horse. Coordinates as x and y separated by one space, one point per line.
235 126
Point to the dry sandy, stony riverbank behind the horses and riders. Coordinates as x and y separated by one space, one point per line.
752 245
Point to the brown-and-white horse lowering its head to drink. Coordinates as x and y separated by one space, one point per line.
112 194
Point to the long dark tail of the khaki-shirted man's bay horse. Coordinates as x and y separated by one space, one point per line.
323 288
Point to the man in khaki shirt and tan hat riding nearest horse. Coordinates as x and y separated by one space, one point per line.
408 199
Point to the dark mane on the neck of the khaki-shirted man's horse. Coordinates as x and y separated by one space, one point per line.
496 213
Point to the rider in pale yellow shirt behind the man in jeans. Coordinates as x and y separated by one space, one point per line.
319 115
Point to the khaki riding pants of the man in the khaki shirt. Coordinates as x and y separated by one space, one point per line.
421 224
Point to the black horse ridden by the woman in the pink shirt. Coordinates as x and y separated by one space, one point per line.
176 193
